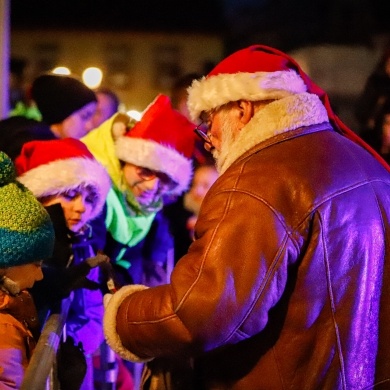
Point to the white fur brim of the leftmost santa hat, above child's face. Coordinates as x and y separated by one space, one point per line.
63 175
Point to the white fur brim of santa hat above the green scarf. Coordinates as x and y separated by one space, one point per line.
152 155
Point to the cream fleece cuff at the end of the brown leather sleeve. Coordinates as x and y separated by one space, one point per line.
109 322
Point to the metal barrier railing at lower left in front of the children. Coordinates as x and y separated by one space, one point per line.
38 374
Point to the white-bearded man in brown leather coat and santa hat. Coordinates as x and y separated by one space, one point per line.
287 284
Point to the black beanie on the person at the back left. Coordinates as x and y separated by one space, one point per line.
58 96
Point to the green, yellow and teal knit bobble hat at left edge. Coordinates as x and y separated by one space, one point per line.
26 231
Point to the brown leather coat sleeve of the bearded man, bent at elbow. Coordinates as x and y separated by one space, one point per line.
221 291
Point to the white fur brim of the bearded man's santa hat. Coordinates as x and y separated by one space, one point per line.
215 91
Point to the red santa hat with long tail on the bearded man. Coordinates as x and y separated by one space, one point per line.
260 73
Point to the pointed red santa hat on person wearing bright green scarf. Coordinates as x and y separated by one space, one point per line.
163 140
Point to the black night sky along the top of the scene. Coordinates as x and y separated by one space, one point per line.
283 23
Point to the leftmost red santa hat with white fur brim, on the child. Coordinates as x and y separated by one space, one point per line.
54 167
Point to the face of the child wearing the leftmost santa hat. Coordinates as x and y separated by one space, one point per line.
77 205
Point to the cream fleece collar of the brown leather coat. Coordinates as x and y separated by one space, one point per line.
280 116
